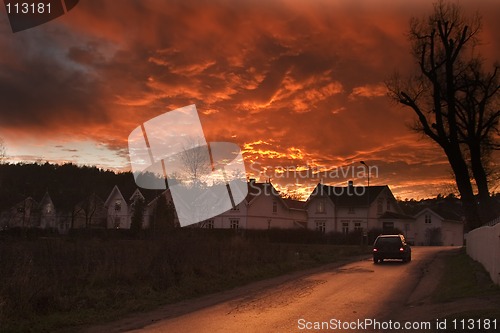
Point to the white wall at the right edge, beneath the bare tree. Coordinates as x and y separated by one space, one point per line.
483 245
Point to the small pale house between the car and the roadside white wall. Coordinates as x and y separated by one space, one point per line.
437 226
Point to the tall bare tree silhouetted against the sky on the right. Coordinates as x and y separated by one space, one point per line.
448 93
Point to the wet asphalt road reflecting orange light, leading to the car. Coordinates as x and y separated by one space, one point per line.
356 291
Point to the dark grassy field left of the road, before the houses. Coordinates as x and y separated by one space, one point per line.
58 284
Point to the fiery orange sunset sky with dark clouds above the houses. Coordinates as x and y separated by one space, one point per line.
297 84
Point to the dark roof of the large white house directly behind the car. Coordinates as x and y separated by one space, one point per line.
350 195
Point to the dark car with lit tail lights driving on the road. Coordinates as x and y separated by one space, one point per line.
391 247
